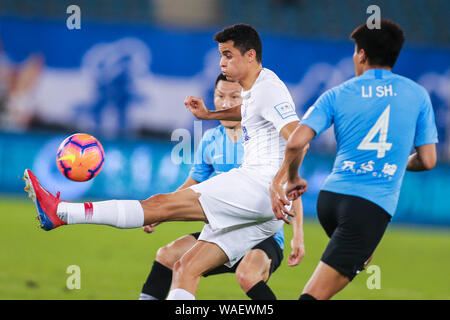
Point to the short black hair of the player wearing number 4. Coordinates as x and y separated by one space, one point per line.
382 46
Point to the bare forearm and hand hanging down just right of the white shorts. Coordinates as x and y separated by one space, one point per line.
297 242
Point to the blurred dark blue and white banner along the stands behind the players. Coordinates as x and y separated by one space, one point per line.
115 78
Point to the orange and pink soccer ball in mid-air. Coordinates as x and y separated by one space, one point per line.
80 157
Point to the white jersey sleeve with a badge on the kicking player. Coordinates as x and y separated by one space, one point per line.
278 106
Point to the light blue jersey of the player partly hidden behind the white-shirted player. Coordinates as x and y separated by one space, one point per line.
217 154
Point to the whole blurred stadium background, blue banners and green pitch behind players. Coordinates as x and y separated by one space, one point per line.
123 77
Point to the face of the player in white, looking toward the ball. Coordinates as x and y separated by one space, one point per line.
233 64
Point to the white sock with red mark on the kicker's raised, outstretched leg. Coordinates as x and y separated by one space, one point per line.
124 214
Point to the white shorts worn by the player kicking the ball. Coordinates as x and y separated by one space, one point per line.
237 206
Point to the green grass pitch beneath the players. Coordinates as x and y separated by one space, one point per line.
414 262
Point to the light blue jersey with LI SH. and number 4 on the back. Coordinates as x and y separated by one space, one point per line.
378 117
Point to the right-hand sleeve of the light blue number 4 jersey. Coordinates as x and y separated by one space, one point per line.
426 131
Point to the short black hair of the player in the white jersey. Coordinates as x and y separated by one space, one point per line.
244 36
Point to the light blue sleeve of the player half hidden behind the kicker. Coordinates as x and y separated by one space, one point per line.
202 168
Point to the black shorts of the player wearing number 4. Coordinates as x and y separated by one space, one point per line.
355 227
